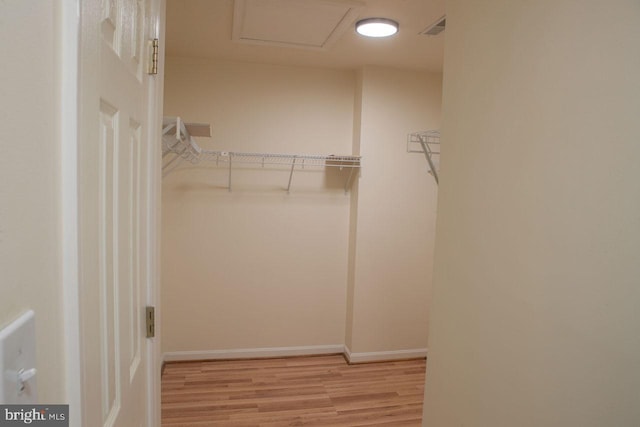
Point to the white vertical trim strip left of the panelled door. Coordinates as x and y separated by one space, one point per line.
69 32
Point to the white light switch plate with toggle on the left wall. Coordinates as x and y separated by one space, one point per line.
18 354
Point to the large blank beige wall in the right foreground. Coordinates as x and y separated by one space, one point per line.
535 320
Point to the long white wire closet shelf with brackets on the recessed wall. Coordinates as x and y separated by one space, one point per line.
177 141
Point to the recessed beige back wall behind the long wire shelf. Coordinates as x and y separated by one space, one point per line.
256 267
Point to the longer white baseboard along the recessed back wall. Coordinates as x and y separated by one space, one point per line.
252 353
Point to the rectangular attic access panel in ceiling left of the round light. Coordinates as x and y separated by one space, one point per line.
308 24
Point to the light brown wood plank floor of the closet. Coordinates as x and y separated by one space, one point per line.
313 391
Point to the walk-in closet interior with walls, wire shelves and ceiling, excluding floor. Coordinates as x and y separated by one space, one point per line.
299 183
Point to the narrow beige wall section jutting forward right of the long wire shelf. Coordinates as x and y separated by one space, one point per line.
392 248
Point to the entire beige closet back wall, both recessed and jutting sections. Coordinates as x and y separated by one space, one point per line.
255 267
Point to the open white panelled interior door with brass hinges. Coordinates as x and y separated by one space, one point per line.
115 179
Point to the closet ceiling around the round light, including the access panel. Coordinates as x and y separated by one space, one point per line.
305 32
